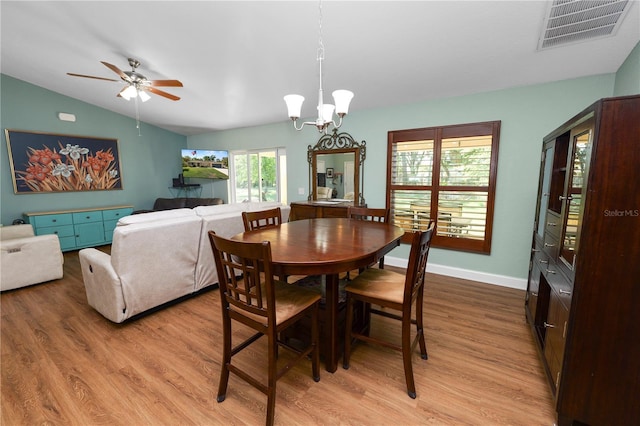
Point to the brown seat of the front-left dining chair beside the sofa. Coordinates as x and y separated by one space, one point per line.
290 301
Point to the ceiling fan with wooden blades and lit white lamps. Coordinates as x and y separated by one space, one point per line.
137 84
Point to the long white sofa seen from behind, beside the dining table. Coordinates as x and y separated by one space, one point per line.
158 257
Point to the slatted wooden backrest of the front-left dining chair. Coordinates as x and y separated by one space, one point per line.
244 274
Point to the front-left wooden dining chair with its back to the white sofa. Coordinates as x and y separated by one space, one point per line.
264 304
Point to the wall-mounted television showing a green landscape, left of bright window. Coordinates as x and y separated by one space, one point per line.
205 164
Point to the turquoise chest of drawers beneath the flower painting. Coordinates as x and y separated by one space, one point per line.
79 228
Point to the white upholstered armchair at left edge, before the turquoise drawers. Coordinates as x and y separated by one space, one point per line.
28 259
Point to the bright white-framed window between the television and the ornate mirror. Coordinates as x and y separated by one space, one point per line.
258 175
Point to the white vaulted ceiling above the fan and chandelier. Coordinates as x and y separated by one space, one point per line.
237 59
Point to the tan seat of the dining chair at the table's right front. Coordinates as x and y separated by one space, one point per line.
380 284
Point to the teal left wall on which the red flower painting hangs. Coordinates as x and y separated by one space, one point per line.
148 161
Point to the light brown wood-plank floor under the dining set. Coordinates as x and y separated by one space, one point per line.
63 363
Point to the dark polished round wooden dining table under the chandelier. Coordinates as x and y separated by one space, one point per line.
326 246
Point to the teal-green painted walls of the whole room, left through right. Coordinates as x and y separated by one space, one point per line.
149 161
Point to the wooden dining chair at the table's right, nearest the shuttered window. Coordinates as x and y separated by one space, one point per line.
398 292
